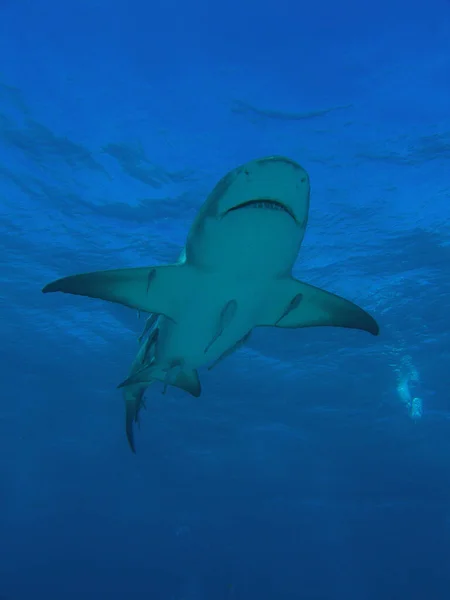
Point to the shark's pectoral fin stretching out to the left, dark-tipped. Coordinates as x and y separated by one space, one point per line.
150 289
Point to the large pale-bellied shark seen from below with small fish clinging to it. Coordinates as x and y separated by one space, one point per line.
234 274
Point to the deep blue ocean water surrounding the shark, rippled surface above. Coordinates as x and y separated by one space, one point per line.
315 465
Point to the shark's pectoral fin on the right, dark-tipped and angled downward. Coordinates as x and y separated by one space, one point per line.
293 304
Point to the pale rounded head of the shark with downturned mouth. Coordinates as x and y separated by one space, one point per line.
255 217
